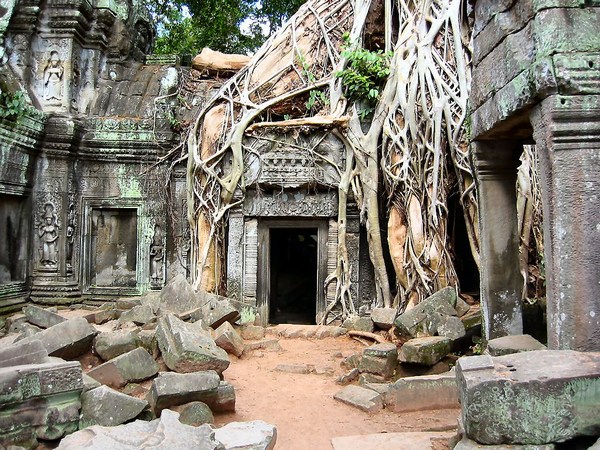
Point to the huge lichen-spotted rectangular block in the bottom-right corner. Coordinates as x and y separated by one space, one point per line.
532 397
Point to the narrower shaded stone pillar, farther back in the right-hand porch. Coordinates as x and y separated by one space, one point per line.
496 165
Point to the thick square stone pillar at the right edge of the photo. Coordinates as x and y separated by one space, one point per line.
567 134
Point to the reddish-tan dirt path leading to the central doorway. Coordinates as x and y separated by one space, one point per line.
302 405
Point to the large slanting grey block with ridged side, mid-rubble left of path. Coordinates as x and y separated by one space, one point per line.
186 347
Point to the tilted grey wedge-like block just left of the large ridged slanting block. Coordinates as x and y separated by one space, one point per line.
136 365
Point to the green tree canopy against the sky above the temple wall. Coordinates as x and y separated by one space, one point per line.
230 26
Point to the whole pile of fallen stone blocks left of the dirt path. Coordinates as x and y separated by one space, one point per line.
45 395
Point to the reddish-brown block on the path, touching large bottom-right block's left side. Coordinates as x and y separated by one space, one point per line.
422 393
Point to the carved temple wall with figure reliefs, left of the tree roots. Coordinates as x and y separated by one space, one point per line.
81 213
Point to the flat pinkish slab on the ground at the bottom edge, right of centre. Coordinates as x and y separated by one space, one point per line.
400 441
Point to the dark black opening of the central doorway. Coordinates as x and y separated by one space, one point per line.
293 280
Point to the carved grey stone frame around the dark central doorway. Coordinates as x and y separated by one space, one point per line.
264 261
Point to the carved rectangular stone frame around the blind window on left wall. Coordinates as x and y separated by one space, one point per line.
86 260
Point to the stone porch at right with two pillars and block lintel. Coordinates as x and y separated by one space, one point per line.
535 80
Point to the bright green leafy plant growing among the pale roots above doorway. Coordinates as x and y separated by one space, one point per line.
364 74
